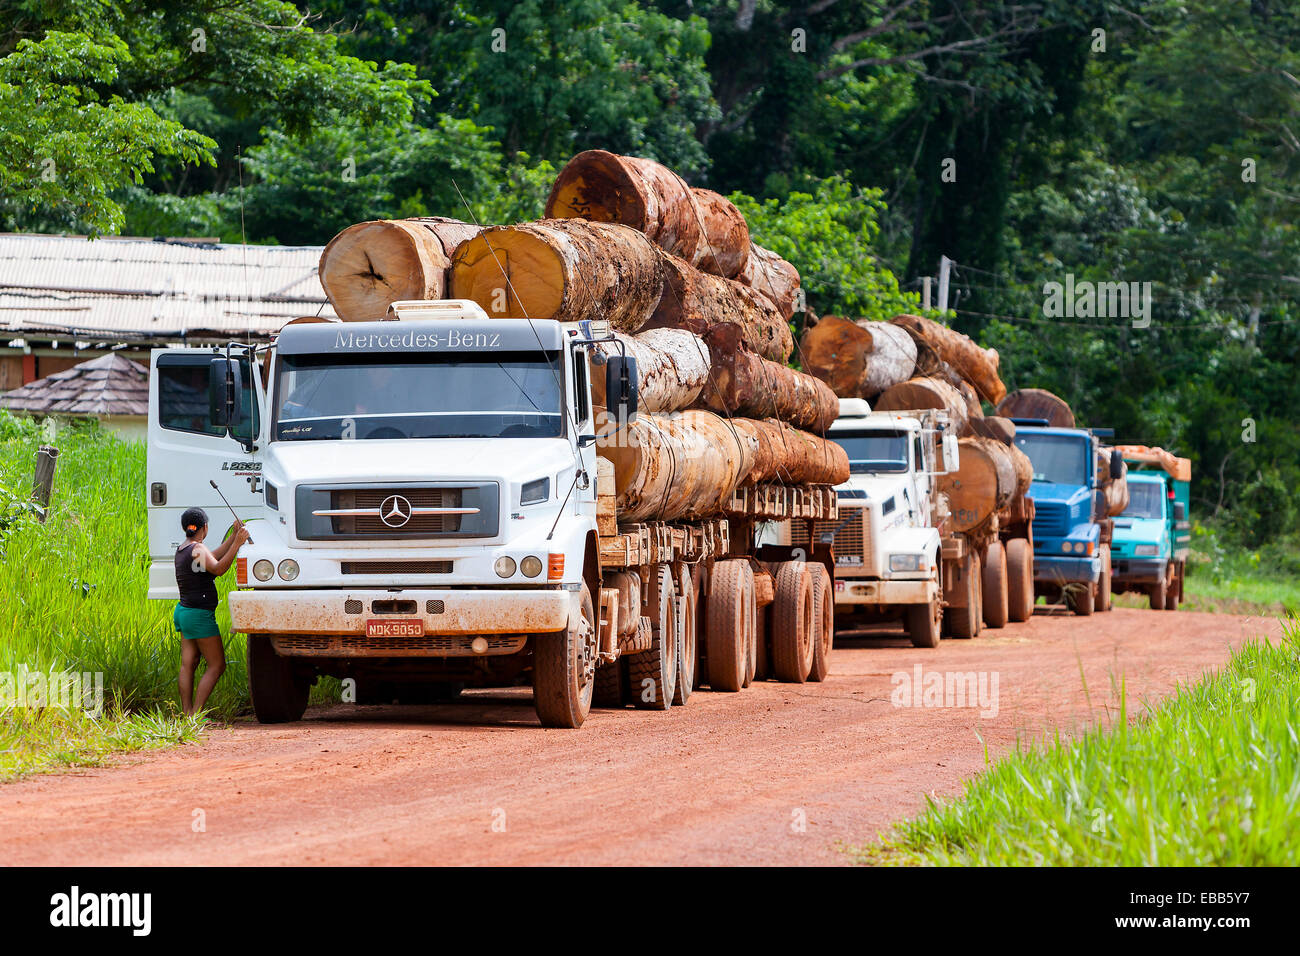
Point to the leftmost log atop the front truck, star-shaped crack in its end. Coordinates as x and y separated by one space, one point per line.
370 266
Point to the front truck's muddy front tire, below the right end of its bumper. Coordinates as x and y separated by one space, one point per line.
562 684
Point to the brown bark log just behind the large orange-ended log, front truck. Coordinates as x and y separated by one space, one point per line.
696 301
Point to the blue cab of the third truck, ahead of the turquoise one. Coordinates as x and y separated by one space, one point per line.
1072 531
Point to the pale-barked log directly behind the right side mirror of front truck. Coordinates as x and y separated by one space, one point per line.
673 367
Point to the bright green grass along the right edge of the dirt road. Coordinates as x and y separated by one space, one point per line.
1207 777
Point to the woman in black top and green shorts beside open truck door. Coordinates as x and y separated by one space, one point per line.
197 572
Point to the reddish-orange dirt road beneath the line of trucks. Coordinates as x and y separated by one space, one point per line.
778 775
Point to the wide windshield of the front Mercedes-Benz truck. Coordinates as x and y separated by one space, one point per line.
462 396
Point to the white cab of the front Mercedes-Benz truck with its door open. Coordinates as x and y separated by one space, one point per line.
422 487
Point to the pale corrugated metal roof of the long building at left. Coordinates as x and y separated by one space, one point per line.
148 289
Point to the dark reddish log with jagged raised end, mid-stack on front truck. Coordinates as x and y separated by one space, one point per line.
748 386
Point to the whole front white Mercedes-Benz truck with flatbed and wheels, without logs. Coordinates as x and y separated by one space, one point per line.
430 513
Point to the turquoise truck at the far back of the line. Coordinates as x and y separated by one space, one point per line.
1152 537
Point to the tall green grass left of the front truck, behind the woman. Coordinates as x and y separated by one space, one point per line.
73 599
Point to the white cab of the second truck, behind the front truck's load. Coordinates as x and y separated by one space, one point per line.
887 537
